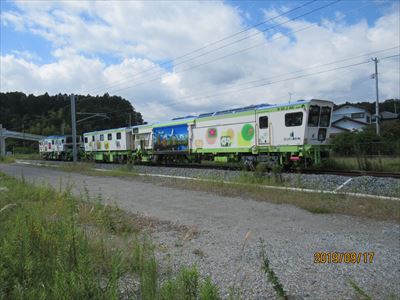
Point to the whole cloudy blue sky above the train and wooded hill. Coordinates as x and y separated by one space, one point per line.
79 46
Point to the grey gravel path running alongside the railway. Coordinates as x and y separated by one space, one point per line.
220 225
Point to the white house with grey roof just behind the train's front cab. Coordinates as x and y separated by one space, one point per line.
349 117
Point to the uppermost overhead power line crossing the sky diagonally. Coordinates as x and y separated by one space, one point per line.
212 43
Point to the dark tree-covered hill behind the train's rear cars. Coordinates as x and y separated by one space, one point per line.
47 115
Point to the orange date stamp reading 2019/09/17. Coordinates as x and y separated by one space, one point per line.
344 257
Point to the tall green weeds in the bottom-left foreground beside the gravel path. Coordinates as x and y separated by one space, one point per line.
56 246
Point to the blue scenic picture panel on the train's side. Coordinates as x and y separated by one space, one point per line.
171 138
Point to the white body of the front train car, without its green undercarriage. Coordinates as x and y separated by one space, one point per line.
266 126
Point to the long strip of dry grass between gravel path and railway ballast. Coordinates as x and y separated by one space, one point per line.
248 187
